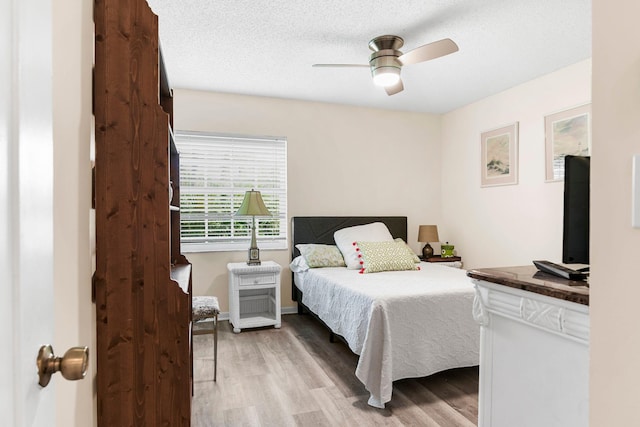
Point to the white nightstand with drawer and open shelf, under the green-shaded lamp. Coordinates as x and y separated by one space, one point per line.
254 295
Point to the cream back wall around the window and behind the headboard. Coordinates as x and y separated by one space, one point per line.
341 161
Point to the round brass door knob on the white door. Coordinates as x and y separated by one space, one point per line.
73 365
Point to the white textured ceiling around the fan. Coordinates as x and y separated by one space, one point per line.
266 48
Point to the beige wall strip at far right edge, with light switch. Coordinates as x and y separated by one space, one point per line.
615 245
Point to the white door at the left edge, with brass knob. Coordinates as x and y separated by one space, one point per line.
26 210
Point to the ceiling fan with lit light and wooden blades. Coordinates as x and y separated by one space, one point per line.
386 60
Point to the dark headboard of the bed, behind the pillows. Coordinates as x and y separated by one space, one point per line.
320 229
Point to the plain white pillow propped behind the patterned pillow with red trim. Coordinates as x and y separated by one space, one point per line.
346 239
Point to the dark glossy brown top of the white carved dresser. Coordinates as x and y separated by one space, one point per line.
528 278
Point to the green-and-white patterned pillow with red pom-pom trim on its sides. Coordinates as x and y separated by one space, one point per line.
385 256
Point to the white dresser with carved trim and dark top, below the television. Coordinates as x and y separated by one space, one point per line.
534 349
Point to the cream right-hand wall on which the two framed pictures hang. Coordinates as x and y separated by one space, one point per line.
513 224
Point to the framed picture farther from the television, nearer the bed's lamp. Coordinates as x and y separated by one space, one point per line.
499 156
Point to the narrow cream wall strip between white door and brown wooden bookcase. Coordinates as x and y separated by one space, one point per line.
74 312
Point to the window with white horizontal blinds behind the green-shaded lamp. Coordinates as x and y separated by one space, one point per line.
215 172
